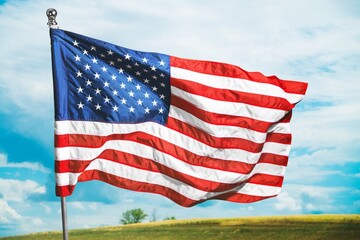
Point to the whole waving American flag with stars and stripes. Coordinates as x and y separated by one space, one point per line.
190 130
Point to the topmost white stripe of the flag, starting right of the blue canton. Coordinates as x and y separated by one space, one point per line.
236 84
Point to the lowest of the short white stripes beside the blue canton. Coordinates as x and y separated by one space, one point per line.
223 131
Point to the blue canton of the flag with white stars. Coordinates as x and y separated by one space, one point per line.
99 81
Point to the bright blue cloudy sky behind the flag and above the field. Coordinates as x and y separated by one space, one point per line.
313 41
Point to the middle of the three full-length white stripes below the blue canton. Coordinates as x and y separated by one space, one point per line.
88 154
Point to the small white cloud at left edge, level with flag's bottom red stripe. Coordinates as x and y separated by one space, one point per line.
19 191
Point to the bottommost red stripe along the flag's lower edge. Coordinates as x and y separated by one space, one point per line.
176 197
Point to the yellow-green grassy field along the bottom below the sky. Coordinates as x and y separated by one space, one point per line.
290 227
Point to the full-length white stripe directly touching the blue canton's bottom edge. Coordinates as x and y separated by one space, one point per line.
174 137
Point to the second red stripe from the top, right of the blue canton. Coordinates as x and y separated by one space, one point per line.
232 95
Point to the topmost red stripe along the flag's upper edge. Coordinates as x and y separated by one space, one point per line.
228 70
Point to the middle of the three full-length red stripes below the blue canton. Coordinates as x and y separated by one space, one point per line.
122 158
